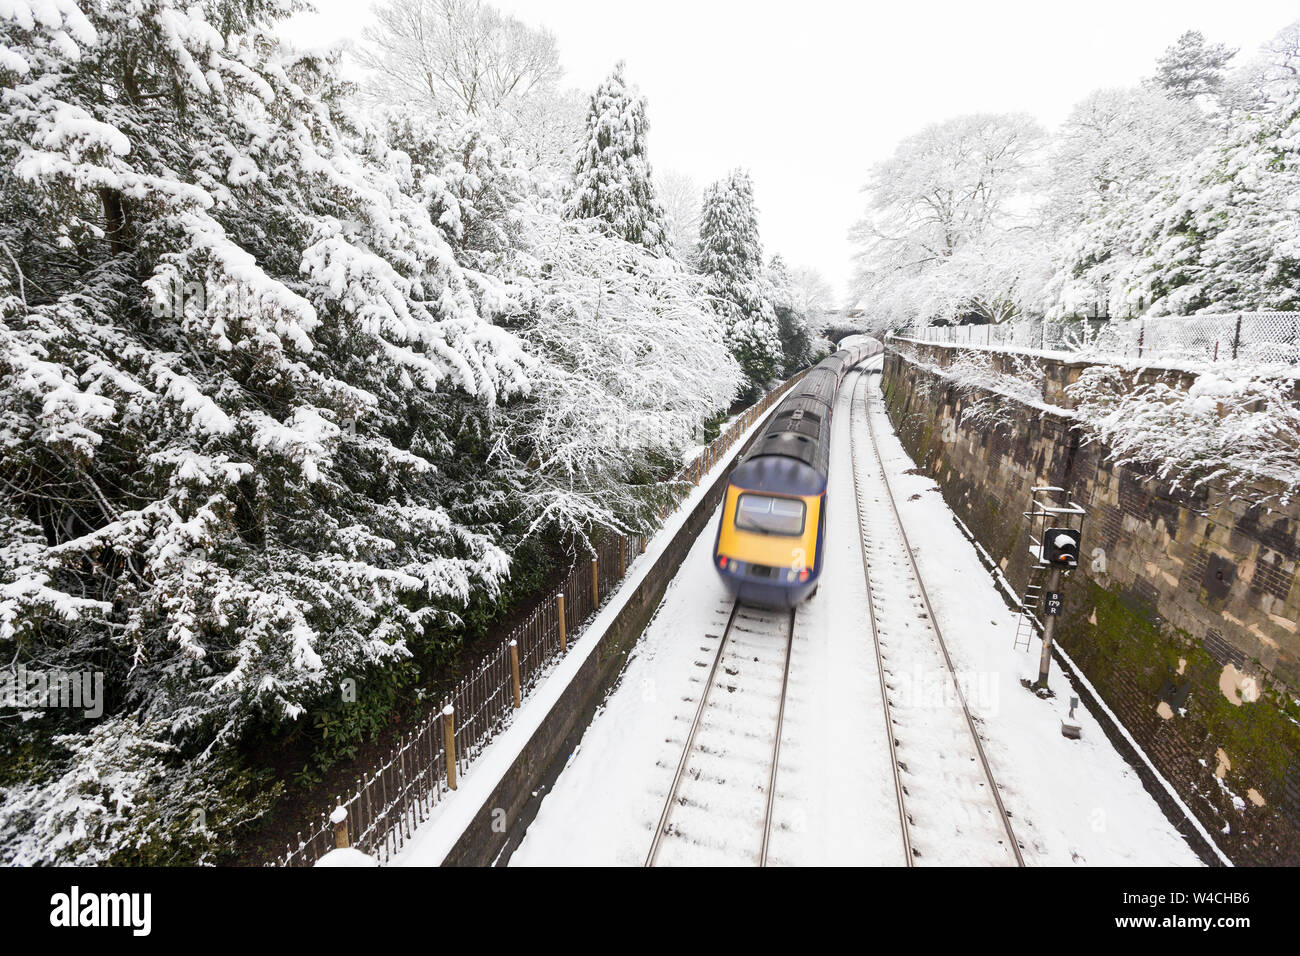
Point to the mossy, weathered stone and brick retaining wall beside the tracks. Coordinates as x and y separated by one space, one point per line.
1184 613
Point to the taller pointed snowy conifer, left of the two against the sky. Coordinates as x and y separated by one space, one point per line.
613 180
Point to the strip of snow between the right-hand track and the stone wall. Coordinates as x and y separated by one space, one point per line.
1072 802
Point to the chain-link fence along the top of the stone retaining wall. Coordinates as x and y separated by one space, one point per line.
1264 338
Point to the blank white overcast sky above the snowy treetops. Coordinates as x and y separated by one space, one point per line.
808 96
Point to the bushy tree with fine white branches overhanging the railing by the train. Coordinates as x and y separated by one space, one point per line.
631 365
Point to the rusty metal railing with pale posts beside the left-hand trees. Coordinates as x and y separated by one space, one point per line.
387 806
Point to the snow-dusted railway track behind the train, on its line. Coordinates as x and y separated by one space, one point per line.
720 806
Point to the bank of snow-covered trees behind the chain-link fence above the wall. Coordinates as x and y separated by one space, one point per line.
1147 202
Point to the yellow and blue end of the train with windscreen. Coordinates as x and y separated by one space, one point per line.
770 535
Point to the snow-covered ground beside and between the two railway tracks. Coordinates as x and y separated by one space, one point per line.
1072 802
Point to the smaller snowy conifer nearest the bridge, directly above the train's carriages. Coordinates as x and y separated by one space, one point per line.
731 258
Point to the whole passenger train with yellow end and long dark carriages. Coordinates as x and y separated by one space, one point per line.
769 548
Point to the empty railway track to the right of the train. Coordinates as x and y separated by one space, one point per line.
950 807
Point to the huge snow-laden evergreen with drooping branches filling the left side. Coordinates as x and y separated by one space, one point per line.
235 347
